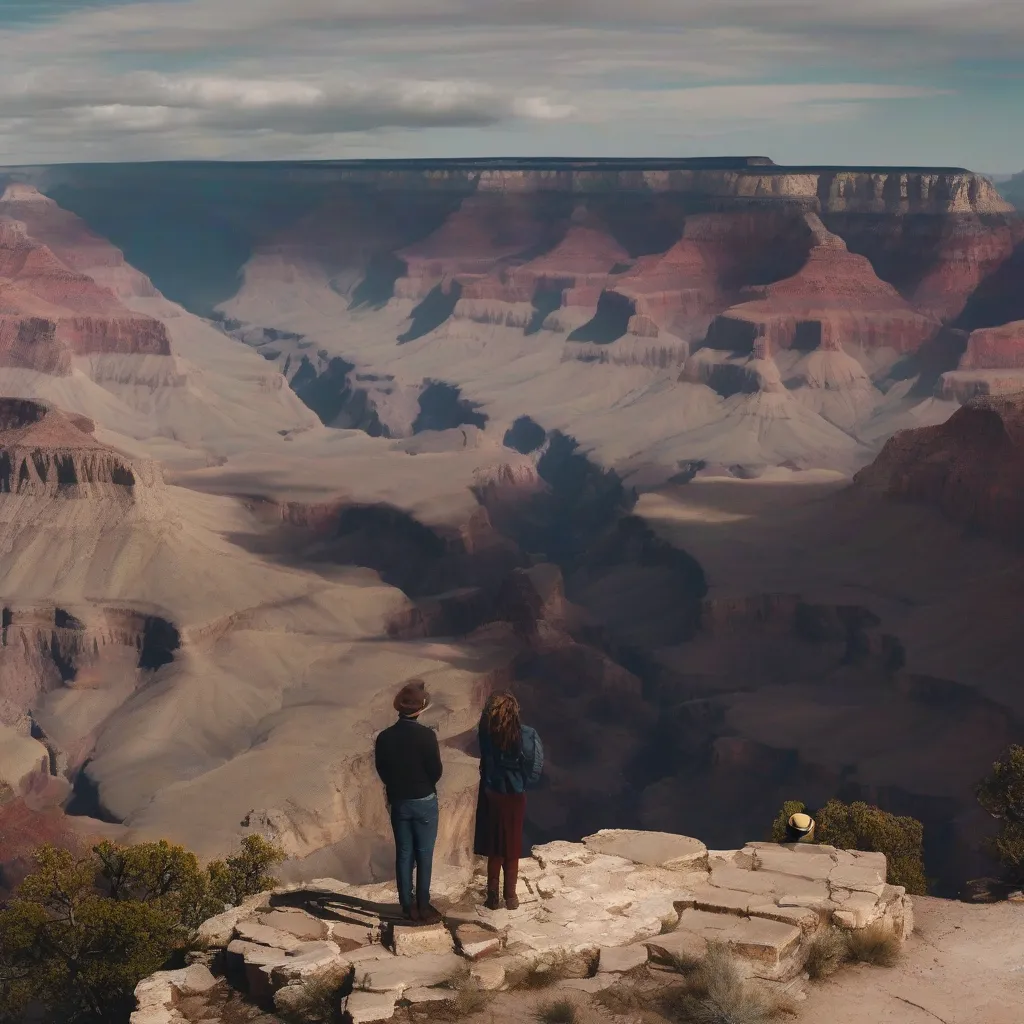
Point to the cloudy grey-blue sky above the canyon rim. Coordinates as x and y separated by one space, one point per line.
908 82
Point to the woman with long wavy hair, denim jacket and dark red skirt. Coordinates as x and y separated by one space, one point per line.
511 762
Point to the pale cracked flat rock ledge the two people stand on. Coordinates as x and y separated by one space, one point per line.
593 910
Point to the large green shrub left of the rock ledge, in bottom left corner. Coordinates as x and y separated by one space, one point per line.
80 933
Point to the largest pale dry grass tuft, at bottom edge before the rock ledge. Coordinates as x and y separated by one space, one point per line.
715 993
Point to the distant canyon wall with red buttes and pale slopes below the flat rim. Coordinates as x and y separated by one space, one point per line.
734 312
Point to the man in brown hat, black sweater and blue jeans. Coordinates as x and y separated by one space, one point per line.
409 763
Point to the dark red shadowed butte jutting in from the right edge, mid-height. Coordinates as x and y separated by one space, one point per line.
971 467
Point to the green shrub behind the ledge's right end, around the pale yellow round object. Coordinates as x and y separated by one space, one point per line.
861 827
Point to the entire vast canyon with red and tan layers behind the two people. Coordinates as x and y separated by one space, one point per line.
714 462
